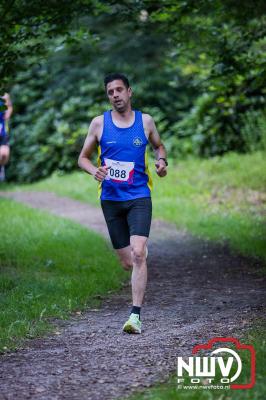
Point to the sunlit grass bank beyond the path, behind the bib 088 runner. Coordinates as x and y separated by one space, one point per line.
221 199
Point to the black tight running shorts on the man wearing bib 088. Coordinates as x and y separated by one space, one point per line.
127 218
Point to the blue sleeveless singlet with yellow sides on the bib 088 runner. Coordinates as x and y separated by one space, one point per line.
124 151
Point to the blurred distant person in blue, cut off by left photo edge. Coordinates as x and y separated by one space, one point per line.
6 110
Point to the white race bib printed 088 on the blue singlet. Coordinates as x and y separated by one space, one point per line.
120 171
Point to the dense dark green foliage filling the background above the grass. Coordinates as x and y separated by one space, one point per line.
197 67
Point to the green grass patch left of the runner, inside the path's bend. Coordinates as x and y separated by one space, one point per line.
49 267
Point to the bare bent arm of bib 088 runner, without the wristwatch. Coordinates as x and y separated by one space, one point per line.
84 160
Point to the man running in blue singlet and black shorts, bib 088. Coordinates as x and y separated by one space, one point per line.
121 135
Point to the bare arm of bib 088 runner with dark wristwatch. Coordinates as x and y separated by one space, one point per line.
157 145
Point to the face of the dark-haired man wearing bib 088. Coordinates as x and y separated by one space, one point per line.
118 95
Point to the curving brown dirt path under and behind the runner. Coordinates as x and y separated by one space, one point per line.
196 291
